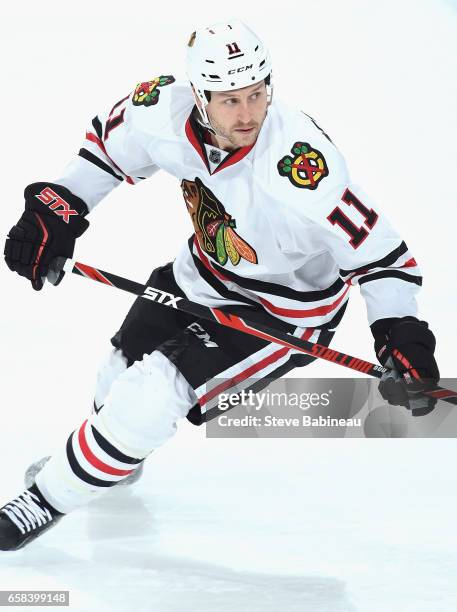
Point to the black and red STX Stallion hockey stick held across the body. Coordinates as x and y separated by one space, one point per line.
240 324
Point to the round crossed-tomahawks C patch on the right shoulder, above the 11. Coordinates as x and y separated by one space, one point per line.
305 168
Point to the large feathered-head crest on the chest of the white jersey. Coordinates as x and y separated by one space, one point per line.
214 227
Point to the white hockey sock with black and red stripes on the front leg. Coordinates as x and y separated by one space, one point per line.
139 414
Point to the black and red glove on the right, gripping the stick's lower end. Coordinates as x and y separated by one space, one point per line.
406 346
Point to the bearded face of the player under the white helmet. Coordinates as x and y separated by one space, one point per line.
238 115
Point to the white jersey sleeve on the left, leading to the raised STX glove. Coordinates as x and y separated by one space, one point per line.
114 150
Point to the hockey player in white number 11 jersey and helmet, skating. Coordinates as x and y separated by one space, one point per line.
279 230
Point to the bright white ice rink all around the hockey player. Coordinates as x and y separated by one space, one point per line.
248 525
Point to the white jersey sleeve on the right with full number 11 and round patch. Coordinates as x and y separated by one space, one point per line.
335 215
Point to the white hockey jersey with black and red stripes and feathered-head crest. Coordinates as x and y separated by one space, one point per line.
277 224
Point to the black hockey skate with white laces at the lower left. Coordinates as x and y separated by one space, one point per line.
25 518
